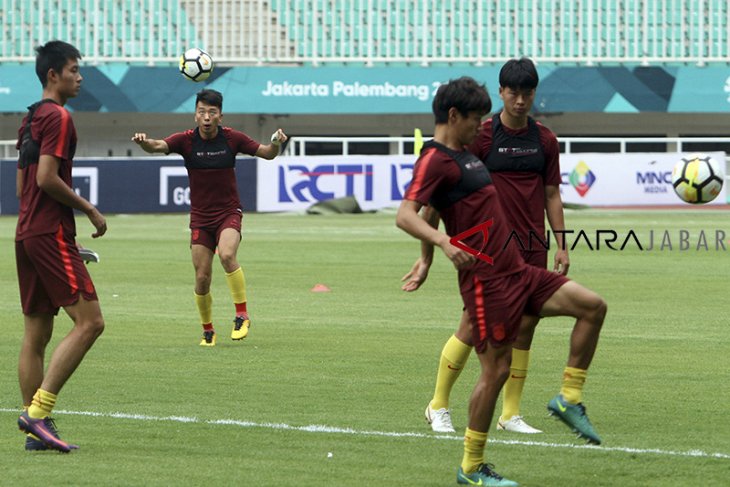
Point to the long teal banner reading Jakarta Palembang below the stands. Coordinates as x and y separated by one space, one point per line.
377 90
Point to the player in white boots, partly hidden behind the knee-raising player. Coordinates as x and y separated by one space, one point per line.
523 157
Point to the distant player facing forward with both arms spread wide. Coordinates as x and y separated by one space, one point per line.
210 152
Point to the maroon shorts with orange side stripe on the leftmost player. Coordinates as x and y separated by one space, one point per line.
51 274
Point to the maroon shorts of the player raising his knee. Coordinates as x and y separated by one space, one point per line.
496 306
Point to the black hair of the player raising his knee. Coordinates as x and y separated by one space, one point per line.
464 94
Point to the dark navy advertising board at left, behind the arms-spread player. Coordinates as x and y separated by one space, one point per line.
124 185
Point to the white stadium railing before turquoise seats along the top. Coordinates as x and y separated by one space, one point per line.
374 31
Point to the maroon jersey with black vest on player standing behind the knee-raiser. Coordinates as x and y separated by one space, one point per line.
521 184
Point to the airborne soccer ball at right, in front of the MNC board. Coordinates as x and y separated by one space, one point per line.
697 178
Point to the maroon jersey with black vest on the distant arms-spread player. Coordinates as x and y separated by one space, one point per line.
211 170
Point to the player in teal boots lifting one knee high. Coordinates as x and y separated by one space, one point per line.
496 285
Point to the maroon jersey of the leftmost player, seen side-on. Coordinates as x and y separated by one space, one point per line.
39 213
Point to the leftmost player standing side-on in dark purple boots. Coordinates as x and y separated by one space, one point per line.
51 273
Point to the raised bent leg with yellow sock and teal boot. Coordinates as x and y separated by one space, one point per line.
589 309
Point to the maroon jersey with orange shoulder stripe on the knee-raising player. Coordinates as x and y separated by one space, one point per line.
437 173
